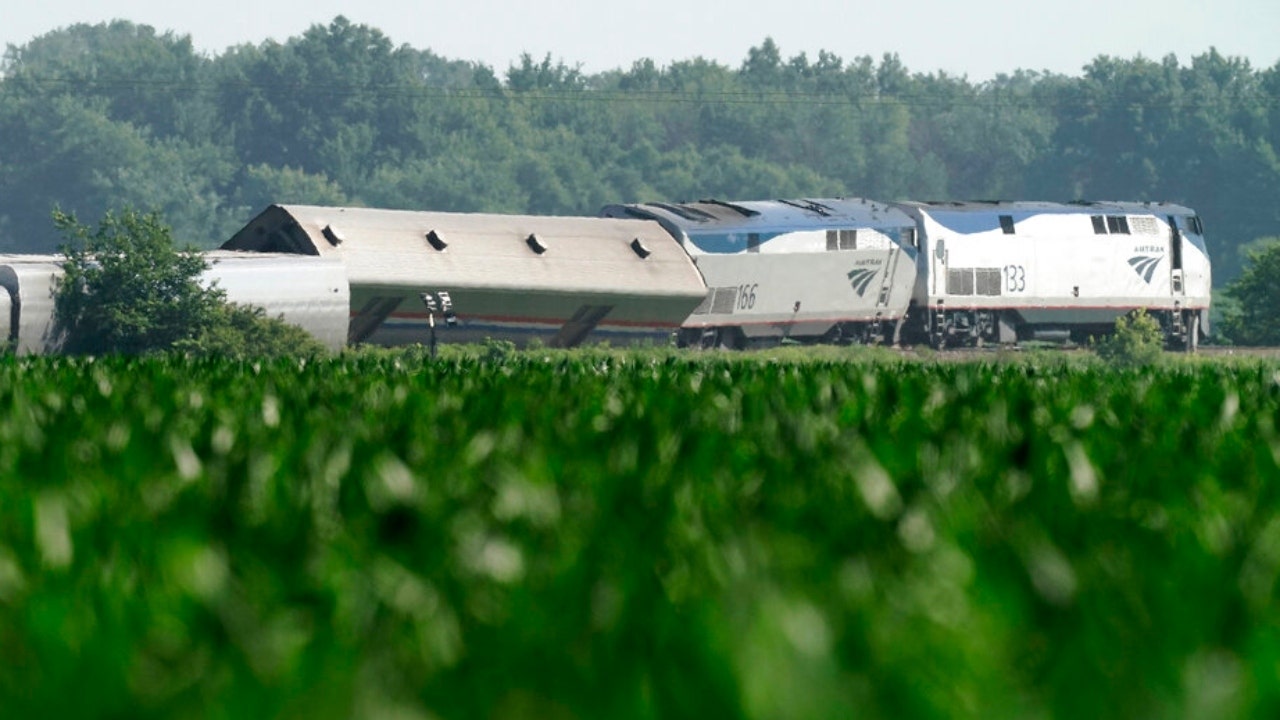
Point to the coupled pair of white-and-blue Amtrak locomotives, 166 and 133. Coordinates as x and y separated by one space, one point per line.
948 275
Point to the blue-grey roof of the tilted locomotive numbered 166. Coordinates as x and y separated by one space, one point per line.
766 215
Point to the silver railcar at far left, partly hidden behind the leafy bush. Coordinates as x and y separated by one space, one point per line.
309 293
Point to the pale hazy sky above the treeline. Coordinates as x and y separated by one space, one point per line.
977 39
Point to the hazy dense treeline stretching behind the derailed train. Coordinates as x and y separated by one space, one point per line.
99 117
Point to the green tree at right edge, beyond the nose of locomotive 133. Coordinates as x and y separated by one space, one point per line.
1252 320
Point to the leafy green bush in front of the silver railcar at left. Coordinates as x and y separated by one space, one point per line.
127 290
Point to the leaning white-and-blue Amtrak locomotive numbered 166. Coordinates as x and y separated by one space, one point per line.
831 270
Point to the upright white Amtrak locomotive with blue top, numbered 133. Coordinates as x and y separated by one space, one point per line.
1005 272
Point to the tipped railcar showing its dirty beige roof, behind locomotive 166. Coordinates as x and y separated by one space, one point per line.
417 276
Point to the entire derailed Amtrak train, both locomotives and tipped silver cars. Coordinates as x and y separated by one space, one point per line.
712 274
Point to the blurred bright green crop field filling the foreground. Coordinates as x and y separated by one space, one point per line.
604 536
